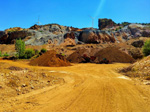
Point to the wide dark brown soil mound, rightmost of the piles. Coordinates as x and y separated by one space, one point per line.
113 54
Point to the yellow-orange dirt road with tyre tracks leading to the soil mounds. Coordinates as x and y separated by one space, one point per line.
88 88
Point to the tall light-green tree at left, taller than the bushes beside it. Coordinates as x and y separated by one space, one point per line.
20 48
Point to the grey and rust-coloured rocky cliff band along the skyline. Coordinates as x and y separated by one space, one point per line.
62 35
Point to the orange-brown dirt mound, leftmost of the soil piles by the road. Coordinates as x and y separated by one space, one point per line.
50 59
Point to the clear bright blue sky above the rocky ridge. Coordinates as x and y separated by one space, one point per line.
24 13
